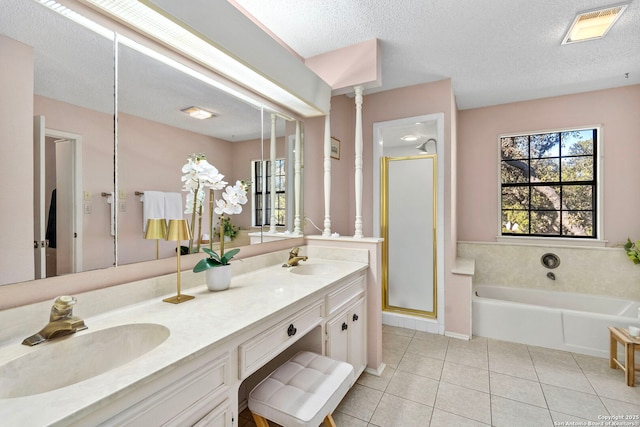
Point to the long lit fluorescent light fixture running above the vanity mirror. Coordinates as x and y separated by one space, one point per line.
163 28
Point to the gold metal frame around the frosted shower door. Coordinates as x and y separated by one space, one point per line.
413 187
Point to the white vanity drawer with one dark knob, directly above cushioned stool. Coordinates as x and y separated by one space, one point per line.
257 351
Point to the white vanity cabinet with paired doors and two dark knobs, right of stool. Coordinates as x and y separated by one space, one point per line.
346 325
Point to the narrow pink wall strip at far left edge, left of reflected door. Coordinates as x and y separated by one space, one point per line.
16 167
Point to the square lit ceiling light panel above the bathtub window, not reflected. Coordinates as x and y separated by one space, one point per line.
593 24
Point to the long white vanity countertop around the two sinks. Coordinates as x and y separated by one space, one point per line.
196 326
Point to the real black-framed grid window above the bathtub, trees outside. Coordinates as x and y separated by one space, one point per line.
549 184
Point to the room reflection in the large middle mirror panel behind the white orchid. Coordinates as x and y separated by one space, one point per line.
155 139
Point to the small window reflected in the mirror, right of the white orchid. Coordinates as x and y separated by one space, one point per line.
262 192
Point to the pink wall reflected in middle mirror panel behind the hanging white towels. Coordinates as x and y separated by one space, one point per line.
151 156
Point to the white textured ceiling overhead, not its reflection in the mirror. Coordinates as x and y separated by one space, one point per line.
495 51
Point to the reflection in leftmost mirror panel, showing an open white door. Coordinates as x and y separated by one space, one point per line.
72 96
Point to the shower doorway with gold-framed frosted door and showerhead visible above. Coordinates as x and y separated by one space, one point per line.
408 206
